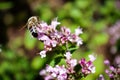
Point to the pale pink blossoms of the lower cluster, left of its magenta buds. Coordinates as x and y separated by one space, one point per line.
60 72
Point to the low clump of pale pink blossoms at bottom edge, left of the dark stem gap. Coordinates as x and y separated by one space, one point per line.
57 72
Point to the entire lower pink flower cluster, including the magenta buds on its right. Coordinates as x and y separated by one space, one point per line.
68 72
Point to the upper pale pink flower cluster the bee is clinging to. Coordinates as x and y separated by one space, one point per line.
51 37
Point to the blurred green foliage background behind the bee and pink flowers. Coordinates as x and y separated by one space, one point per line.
18 50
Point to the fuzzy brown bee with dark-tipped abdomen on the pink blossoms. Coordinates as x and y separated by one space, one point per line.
32 24
